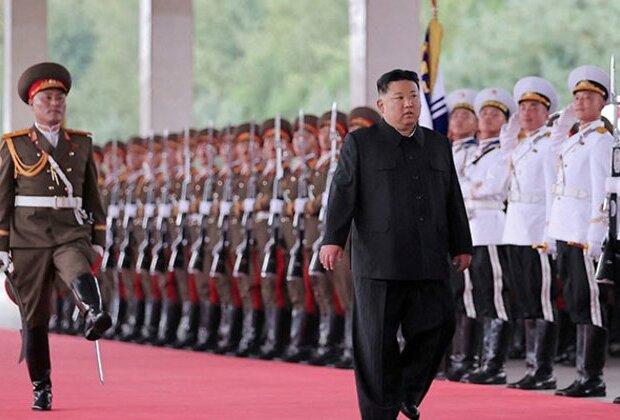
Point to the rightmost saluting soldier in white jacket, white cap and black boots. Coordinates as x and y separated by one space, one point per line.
579 224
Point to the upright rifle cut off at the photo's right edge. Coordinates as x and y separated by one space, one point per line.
608 268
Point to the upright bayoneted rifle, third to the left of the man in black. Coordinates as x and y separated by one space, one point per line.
269 267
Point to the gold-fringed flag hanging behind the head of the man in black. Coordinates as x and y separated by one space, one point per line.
434 113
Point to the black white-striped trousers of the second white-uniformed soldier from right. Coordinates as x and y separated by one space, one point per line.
533 282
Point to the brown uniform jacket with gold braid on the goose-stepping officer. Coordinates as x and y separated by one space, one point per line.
41 227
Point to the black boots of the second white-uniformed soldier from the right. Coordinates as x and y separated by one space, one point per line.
541 342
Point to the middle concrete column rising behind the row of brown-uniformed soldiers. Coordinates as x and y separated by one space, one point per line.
166 65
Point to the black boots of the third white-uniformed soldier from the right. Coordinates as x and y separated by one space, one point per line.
494 351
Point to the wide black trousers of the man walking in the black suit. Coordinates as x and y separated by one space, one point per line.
386 376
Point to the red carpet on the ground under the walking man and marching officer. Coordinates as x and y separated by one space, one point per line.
148 382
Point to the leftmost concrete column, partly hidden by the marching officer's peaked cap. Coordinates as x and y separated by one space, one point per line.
25 44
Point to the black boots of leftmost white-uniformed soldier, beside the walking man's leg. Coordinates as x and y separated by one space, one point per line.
465 348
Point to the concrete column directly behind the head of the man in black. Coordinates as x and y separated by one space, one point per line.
382 37
